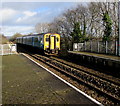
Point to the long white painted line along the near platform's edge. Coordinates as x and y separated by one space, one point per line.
95 101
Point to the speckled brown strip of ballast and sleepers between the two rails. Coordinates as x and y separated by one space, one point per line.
87 78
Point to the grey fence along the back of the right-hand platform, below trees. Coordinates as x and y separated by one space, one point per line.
110 47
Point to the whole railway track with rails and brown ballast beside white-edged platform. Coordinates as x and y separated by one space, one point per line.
104 86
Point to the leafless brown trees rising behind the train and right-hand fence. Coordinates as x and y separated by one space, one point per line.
90 18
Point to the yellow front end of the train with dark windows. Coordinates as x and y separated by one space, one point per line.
51 43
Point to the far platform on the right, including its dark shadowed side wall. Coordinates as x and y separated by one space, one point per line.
106 62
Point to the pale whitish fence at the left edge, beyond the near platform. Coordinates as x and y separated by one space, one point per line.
6 49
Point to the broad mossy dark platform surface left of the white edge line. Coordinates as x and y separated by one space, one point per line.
24 82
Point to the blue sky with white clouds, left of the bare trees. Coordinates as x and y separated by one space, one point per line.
22 17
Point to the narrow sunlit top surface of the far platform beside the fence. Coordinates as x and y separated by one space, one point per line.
111 57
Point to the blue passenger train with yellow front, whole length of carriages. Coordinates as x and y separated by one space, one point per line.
48 43
